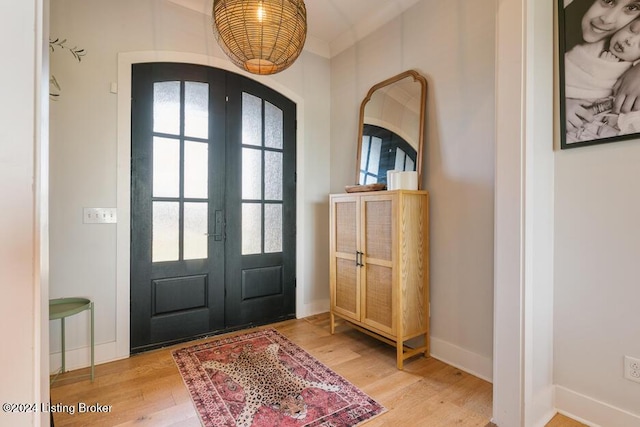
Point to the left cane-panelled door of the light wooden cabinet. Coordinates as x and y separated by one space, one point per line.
345 274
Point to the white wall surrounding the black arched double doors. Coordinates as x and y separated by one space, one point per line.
84 154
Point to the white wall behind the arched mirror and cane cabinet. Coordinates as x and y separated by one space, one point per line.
453 45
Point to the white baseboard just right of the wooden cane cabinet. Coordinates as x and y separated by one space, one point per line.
468 361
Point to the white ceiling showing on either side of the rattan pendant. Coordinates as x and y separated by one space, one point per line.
333 25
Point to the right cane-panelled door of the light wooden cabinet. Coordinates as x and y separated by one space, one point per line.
378 279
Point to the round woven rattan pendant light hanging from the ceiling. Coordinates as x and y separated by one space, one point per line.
260 36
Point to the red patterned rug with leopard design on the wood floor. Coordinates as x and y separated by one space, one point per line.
261 379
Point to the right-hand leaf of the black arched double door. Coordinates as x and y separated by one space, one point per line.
260 262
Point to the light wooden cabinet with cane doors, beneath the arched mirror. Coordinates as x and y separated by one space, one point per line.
380 266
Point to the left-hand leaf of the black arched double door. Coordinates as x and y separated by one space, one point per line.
178 163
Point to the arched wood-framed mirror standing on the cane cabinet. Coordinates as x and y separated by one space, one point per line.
391 129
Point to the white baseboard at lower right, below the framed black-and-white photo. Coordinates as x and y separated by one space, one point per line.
592 412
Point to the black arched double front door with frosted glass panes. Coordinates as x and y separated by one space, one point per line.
212 203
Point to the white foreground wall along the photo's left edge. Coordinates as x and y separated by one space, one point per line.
23 223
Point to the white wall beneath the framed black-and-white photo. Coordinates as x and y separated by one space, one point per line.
597 290
